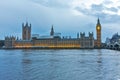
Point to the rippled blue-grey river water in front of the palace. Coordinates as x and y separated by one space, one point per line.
59 65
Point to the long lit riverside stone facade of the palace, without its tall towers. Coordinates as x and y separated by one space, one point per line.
82 42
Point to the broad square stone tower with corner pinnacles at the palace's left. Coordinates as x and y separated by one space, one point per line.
26 31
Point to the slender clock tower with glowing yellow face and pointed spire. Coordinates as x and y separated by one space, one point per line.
98 30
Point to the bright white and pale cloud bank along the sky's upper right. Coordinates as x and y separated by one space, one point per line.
91 7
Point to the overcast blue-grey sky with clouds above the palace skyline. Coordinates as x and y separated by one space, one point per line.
67 16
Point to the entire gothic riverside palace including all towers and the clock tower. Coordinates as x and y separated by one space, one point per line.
54 40
